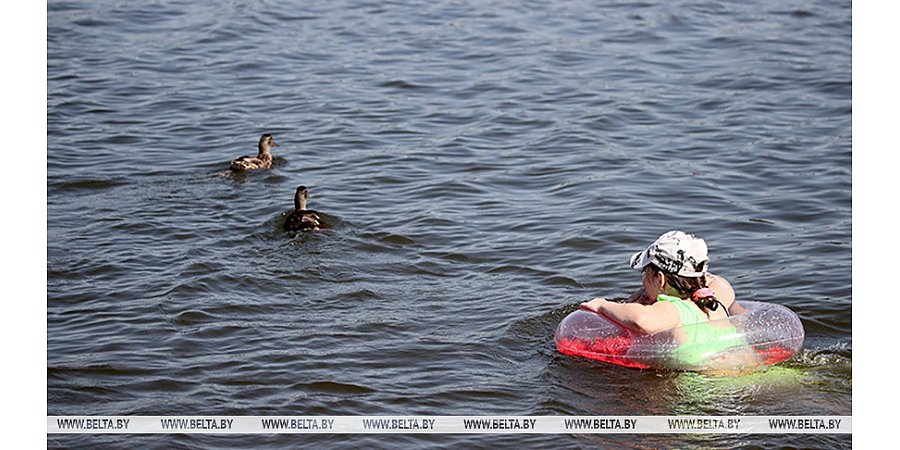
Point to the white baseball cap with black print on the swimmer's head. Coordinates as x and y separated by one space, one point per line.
675 252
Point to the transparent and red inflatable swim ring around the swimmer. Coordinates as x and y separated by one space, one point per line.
766 334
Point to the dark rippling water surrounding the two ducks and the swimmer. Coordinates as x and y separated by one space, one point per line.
485 166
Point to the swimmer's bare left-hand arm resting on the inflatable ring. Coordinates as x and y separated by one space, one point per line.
646 319
